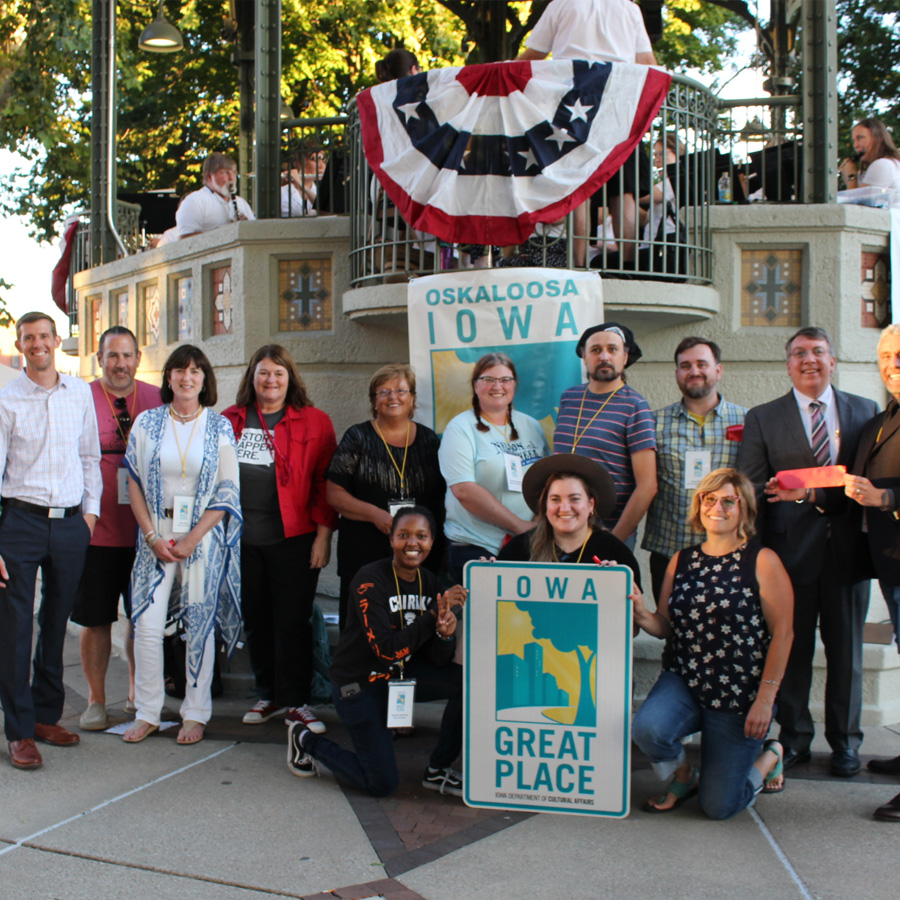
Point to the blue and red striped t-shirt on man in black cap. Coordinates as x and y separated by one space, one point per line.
624 427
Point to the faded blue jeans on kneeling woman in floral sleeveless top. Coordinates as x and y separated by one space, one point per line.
728 779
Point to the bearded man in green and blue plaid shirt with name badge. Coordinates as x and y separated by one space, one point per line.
692 440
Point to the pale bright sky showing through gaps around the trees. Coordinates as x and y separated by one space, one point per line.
27 265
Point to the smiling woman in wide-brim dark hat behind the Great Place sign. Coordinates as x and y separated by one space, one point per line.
570 494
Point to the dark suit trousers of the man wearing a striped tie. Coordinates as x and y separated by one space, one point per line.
840 611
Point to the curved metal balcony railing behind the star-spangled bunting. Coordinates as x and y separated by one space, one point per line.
634 226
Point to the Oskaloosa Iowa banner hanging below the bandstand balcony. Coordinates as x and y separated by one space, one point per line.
533 315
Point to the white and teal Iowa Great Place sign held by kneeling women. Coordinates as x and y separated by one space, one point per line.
548 687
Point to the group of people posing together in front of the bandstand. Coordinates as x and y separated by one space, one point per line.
234 515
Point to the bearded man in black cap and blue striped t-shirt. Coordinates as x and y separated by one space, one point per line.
611 423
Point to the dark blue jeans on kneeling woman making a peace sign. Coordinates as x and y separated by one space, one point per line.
373 765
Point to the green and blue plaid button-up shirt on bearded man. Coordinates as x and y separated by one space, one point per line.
667 530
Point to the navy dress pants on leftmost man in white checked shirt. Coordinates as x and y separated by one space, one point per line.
56 546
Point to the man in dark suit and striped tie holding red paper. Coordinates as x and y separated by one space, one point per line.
812 531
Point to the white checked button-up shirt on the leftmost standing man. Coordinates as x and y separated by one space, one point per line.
49 446
